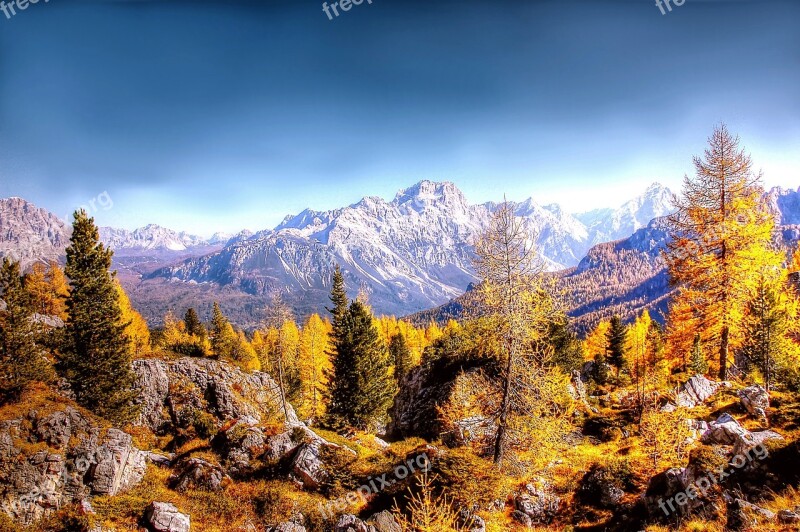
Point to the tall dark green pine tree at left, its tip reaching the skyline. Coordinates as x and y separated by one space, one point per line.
97 355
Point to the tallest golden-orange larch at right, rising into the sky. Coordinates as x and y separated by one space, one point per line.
720 234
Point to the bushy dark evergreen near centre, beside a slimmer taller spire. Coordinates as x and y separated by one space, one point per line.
361 387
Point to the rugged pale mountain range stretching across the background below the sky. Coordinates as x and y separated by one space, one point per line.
410 254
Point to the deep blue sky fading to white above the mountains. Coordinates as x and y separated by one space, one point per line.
210 116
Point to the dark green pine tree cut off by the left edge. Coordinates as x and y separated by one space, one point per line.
21 360
